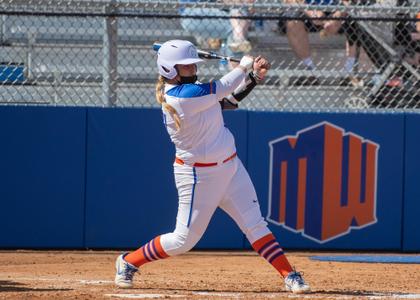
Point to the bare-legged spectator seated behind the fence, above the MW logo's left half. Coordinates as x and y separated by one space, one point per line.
297 31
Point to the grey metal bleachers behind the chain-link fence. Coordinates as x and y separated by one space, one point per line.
65 64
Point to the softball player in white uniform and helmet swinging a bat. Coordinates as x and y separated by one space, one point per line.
208 173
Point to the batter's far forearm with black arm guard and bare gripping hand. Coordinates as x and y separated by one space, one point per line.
260 69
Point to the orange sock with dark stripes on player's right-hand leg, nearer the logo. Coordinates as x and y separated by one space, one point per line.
270 249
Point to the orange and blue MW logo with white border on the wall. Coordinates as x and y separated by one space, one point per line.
323 182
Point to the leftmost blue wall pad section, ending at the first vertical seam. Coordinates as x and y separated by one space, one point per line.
42 194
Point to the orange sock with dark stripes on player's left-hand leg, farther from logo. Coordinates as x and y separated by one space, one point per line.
149 252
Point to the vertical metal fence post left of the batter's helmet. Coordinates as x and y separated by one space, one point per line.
109 70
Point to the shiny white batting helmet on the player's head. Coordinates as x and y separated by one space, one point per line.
176 52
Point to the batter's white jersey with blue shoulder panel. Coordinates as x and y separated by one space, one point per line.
202 137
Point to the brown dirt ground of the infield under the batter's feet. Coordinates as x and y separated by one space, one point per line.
197 275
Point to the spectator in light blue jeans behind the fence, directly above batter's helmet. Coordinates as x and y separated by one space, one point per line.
212 32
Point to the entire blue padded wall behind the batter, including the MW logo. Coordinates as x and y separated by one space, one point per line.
102 178
